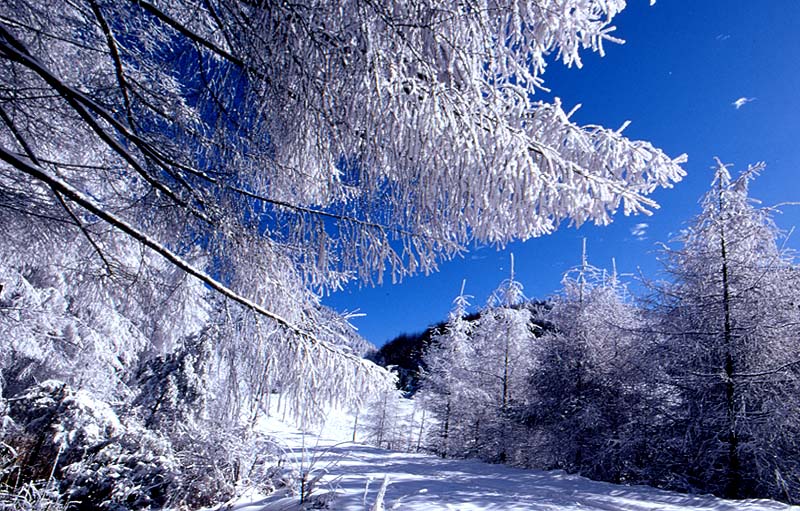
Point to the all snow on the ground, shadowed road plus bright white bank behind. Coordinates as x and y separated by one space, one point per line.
419 482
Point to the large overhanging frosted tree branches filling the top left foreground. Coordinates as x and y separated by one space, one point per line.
307 143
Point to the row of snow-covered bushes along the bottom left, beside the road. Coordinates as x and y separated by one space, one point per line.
89 457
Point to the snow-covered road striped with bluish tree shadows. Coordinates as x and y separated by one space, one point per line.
419 482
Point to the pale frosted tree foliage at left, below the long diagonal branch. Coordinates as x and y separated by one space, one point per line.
63 317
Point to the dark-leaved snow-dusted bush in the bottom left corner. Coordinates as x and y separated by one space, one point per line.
78 444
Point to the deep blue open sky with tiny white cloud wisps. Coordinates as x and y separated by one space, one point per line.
683 65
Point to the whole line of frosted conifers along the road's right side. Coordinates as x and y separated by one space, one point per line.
694 385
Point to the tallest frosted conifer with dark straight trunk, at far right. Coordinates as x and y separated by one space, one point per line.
728 342
